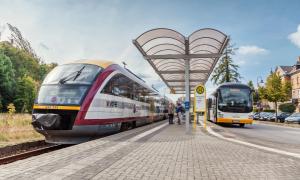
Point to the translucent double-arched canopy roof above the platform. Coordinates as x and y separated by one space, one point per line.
167 50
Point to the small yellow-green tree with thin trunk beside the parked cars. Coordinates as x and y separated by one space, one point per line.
274 91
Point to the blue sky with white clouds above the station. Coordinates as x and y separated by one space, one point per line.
266 33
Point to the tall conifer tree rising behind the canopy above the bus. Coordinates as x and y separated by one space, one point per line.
226 71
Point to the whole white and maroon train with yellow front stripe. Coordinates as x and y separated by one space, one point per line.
80 100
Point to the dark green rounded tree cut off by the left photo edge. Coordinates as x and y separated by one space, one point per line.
7 80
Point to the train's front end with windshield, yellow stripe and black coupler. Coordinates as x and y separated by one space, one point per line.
59 101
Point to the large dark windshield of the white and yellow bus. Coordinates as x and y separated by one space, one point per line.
237 100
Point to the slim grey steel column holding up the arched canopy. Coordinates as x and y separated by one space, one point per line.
187 95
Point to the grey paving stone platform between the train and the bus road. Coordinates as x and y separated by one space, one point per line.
168 153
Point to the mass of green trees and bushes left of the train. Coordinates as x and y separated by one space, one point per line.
20 75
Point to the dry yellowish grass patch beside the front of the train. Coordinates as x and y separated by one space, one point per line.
16 129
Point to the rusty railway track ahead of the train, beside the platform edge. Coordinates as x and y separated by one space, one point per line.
30 153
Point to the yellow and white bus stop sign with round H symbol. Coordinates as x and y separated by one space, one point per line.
200 99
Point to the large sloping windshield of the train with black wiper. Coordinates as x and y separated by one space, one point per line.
67 84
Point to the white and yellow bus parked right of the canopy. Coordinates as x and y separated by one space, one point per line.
231 103
